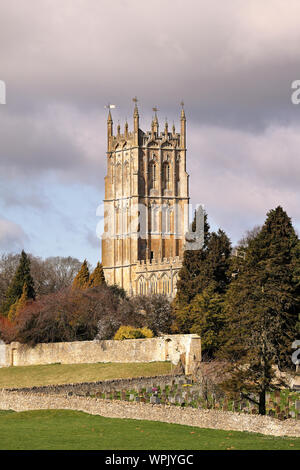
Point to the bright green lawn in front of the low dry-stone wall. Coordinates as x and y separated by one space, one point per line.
67 430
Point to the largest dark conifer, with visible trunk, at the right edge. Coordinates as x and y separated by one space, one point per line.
262 307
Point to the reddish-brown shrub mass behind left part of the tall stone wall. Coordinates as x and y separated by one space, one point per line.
70 315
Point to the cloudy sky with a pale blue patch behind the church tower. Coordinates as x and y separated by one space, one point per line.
62 61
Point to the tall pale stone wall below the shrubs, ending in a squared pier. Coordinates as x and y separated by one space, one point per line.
164 348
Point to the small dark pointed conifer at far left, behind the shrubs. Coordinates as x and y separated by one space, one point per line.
21 277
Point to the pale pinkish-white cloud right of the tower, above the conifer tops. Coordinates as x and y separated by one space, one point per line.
242 175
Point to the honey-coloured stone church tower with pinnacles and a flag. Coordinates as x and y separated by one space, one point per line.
145 206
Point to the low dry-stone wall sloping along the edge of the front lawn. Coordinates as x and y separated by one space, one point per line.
213 419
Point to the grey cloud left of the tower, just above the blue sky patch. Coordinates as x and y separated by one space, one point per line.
58 140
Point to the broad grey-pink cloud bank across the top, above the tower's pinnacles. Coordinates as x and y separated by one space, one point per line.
232 61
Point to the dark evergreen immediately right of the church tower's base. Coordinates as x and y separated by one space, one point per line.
199 302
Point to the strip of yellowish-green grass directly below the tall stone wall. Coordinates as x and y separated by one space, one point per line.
30 376
